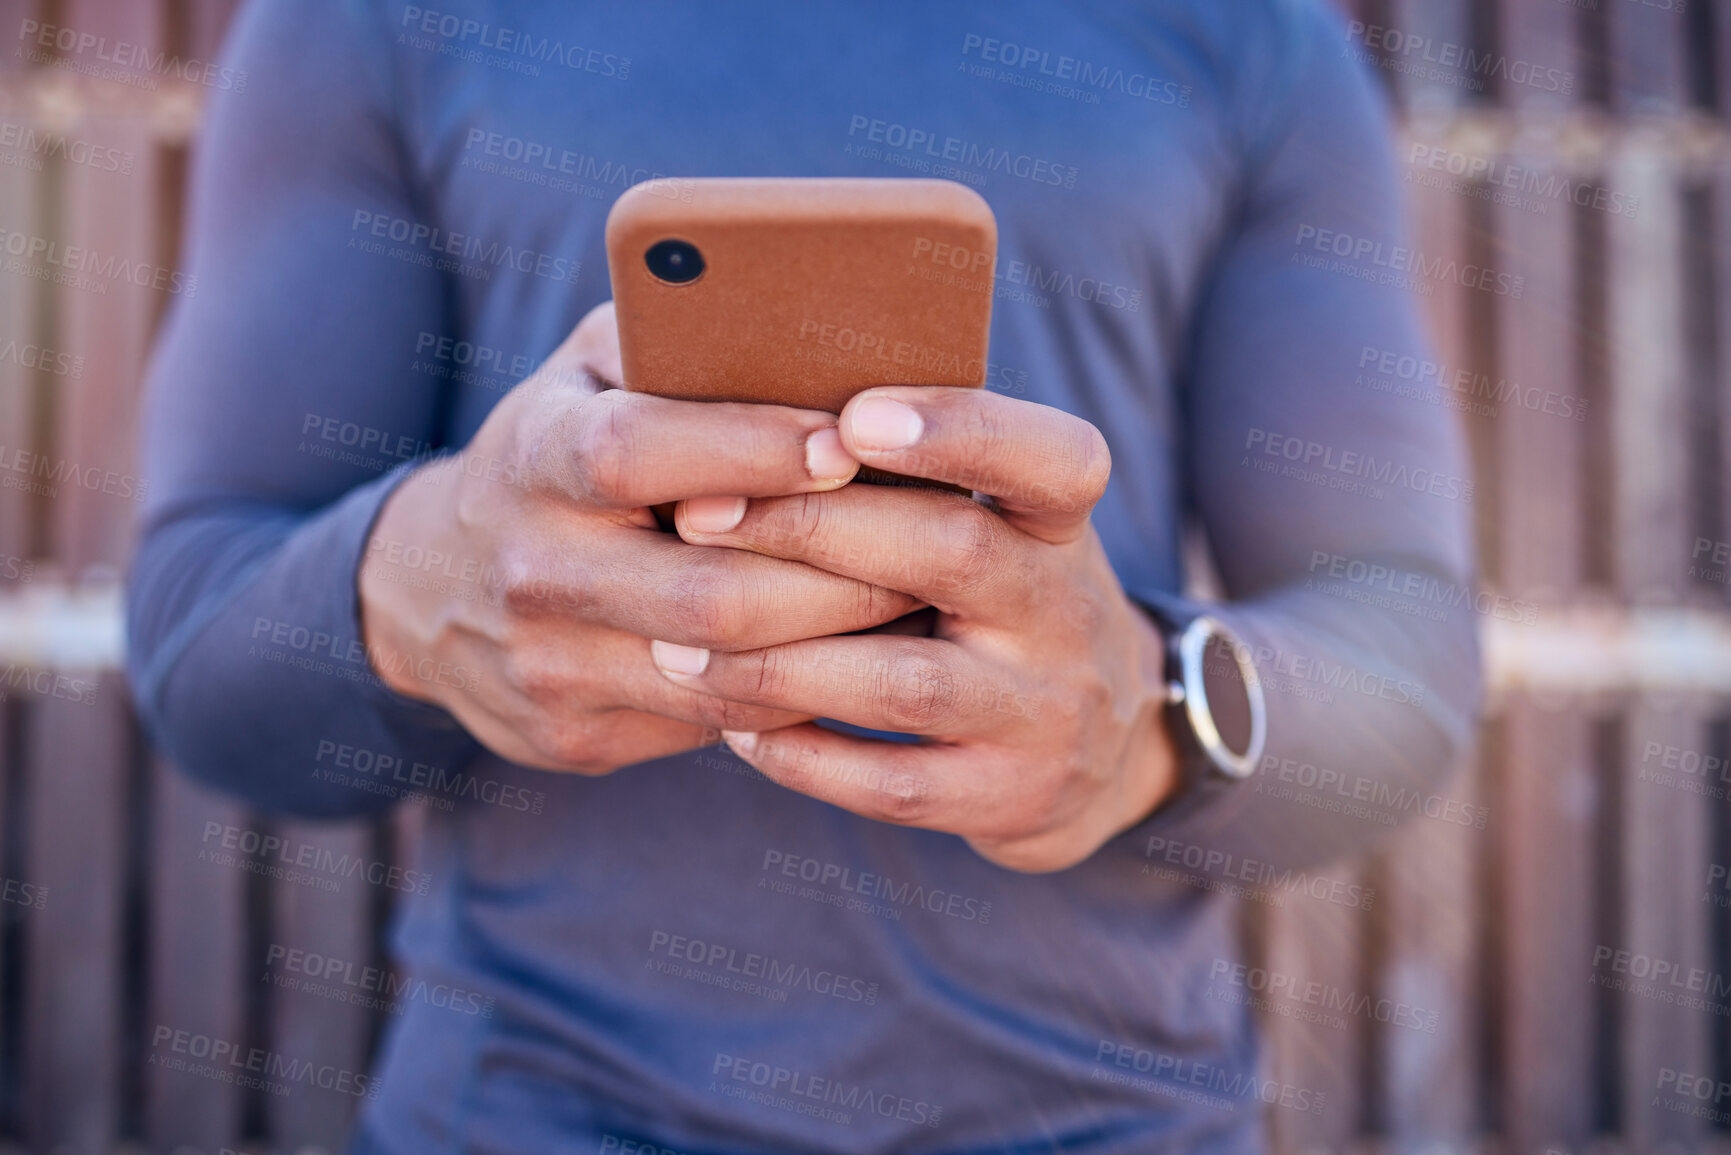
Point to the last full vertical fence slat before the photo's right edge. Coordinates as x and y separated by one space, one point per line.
1661 830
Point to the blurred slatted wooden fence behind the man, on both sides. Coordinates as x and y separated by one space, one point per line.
1600 766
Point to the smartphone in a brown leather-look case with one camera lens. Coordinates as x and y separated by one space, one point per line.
801 292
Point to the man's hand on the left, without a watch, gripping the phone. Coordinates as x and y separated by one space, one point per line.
553 574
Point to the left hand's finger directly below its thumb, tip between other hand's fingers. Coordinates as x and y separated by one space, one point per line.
657 586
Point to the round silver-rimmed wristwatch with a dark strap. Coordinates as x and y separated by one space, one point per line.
1216 709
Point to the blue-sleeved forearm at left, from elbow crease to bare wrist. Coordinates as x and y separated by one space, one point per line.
257 661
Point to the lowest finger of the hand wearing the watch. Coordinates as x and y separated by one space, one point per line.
880 780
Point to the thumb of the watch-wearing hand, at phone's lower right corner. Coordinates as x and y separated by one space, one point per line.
1043 467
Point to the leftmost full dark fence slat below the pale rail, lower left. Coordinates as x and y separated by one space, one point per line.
72 978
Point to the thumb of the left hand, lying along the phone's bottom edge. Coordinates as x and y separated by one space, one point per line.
626 451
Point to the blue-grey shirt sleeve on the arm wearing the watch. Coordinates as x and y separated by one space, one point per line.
1335 496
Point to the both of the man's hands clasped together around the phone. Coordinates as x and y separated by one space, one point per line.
1036 692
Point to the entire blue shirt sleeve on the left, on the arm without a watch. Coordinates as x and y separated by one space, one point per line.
281 408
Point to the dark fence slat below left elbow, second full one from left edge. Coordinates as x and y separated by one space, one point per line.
198 962
